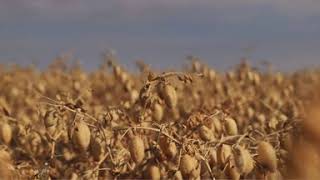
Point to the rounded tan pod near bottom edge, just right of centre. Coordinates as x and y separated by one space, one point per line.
188 164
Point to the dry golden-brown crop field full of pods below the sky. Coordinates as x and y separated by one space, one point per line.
197 124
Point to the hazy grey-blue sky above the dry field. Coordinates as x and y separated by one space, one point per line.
284 32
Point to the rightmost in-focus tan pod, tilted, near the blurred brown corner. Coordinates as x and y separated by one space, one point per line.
267 156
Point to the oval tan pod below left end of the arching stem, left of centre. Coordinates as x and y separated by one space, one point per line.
136 148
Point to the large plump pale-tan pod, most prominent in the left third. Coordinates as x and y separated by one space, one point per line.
81 136
